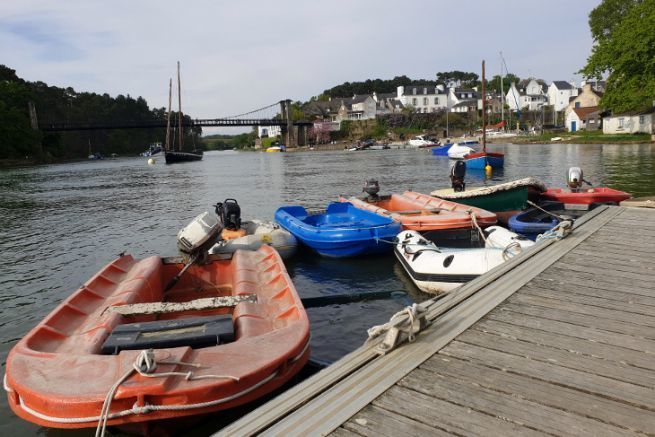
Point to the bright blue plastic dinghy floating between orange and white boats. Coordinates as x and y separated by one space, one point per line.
341 231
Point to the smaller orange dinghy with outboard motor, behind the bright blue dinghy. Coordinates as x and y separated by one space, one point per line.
445 222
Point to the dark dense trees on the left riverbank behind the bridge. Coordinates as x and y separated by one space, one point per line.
20 142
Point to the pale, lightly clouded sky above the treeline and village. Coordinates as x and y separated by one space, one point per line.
237 56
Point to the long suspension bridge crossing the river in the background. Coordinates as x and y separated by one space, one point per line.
294 133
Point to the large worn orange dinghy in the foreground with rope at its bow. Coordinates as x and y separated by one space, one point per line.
122 350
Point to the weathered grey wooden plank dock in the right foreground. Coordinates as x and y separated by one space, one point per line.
557 341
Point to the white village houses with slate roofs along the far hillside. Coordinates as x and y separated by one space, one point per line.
577 108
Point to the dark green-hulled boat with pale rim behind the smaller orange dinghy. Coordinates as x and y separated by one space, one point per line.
505 200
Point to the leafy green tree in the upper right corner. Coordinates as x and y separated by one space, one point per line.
624 49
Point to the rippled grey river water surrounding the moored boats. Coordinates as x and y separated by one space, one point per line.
62 223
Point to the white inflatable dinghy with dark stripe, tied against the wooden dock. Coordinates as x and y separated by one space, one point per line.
436 271
